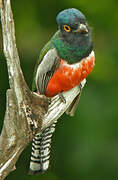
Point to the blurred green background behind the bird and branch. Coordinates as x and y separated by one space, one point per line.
84 147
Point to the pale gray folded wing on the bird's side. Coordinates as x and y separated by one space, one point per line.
46 69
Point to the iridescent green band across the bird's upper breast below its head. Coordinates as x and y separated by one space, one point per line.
72 52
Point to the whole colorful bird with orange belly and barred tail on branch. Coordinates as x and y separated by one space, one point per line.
66 60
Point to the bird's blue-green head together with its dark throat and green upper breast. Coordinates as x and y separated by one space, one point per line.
74 40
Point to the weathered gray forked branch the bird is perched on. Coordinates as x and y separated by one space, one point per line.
26 112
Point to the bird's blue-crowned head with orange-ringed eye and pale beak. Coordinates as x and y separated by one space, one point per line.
72 24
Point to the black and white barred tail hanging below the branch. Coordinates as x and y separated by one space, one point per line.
40 154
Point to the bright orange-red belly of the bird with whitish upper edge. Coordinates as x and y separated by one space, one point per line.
68 76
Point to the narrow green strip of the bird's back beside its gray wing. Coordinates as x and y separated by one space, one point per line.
45 49
